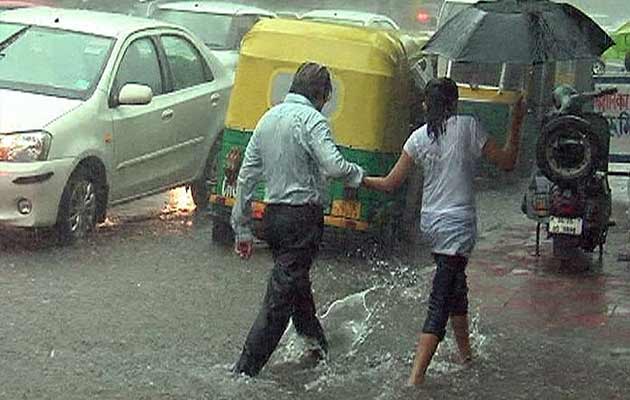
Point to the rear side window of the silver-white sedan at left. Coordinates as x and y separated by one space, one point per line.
187 65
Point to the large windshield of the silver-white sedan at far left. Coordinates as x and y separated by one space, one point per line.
51 61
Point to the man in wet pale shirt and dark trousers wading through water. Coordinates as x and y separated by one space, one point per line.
292 150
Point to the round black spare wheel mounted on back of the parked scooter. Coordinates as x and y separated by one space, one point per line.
568 150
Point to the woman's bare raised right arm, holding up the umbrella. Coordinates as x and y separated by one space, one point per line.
505 158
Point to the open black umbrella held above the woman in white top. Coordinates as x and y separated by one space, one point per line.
519 32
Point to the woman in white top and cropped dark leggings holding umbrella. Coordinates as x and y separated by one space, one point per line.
448 148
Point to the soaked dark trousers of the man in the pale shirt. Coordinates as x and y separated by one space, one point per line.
294 234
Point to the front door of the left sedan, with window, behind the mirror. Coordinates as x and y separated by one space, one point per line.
143 135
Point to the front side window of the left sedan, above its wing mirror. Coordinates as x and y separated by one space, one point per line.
140 65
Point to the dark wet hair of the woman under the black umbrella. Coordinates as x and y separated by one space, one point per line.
441 97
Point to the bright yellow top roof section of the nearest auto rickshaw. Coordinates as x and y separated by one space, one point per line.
341 47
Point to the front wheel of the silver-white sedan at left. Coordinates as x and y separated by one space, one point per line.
78 208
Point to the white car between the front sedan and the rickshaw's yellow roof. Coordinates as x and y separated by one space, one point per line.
220 25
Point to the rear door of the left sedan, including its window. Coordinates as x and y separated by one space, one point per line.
199 102
